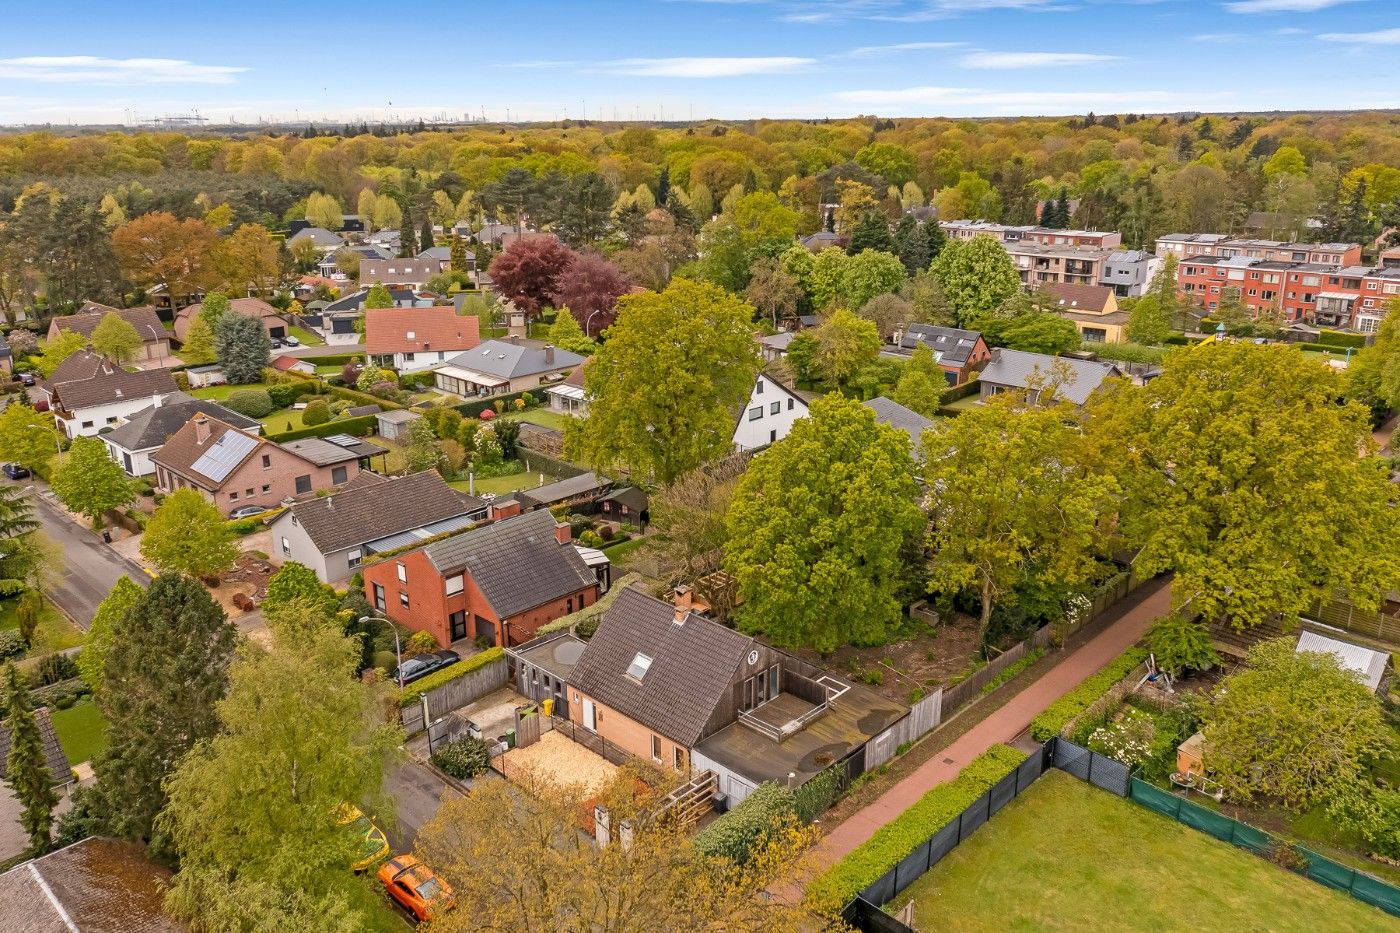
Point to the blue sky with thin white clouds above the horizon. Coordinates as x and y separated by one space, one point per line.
96 61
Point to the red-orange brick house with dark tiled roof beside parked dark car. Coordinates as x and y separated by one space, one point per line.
500 582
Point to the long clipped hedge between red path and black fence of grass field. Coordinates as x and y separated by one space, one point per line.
836 887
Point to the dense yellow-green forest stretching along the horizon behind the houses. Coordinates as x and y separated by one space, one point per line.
598 187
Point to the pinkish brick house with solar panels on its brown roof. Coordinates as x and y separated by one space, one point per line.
234 469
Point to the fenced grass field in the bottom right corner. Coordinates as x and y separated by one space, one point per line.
1069 857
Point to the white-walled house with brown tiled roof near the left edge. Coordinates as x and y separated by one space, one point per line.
89 393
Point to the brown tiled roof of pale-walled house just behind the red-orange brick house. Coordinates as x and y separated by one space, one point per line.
370 508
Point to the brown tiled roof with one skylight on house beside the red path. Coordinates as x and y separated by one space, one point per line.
692 666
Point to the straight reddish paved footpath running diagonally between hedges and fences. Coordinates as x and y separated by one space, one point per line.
1002 726
